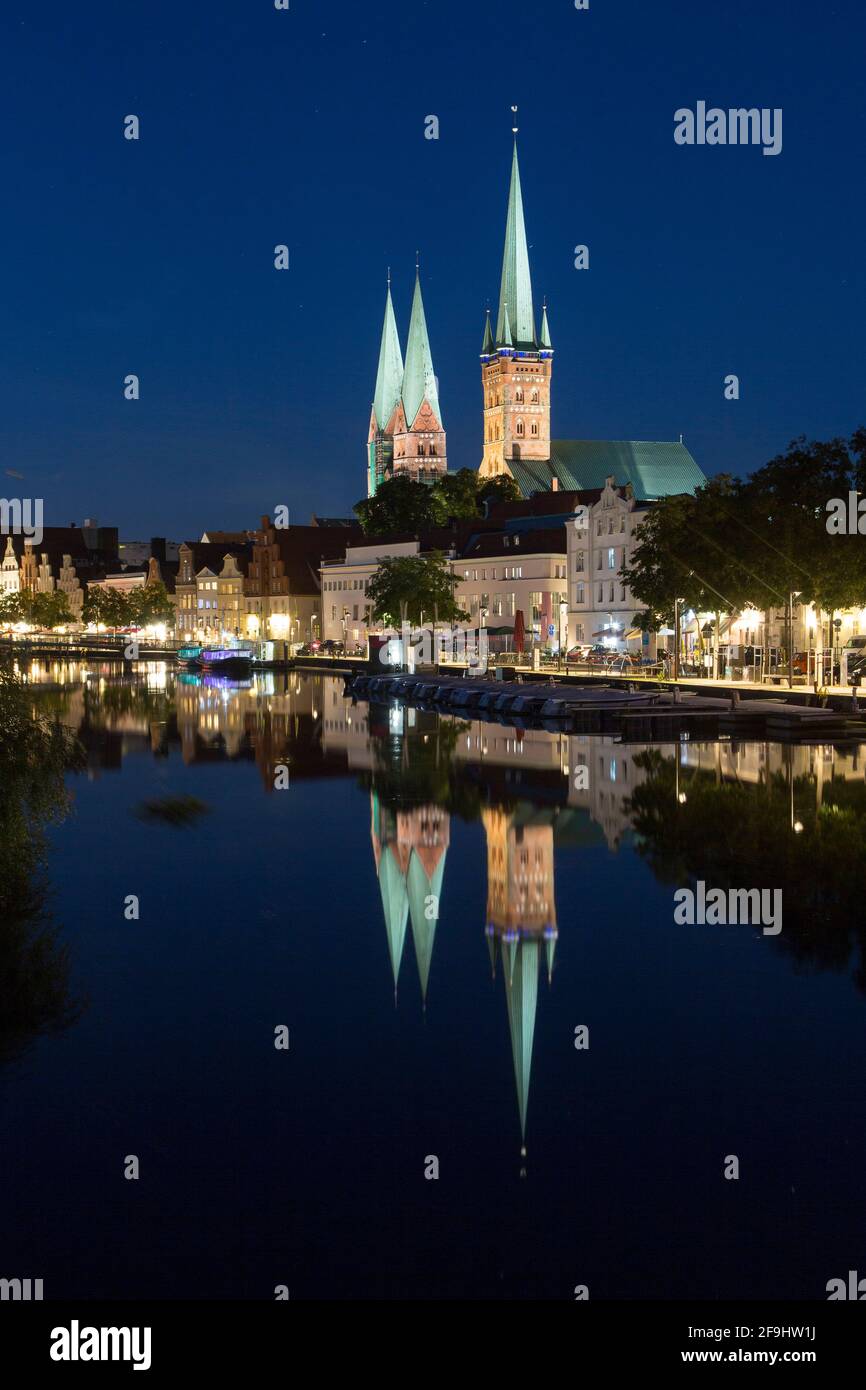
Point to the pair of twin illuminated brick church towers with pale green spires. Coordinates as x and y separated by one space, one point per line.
407 434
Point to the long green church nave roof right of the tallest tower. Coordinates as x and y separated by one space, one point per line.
653 468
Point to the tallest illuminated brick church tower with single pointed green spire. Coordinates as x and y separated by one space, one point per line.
516 361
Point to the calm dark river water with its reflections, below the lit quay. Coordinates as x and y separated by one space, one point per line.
313 907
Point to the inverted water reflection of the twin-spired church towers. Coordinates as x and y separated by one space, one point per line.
409 849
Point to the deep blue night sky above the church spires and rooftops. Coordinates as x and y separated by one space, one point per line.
308 127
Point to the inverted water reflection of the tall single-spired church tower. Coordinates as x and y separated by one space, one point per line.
521 921
